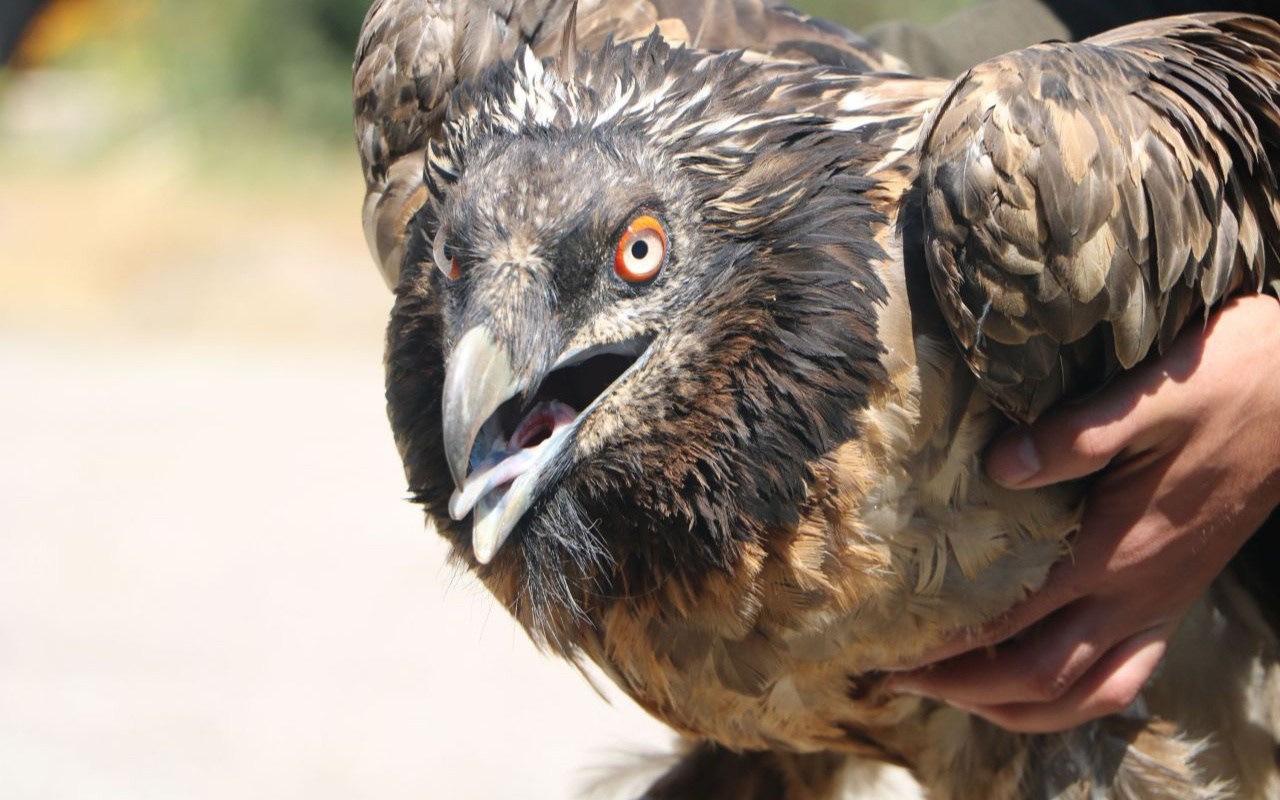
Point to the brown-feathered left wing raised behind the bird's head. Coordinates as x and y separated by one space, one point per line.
414 53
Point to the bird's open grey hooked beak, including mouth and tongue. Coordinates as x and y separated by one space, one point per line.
500 449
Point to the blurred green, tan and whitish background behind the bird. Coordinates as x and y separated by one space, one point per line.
211 583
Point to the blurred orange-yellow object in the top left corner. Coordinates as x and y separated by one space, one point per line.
65 25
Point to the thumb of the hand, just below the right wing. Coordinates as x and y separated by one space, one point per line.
1081 440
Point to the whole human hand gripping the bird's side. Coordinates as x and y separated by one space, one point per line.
1188 454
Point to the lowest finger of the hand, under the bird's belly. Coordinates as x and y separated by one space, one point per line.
1109 688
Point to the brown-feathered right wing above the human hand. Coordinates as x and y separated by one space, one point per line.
1082 202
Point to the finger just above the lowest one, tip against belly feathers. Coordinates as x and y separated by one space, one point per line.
1039 668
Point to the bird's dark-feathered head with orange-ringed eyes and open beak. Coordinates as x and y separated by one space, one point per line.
638 307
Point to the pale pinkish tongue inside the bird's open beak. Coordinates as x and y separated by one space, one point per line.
508 460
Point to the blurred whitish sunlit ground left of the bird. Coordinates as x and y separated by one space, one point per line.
212 592
